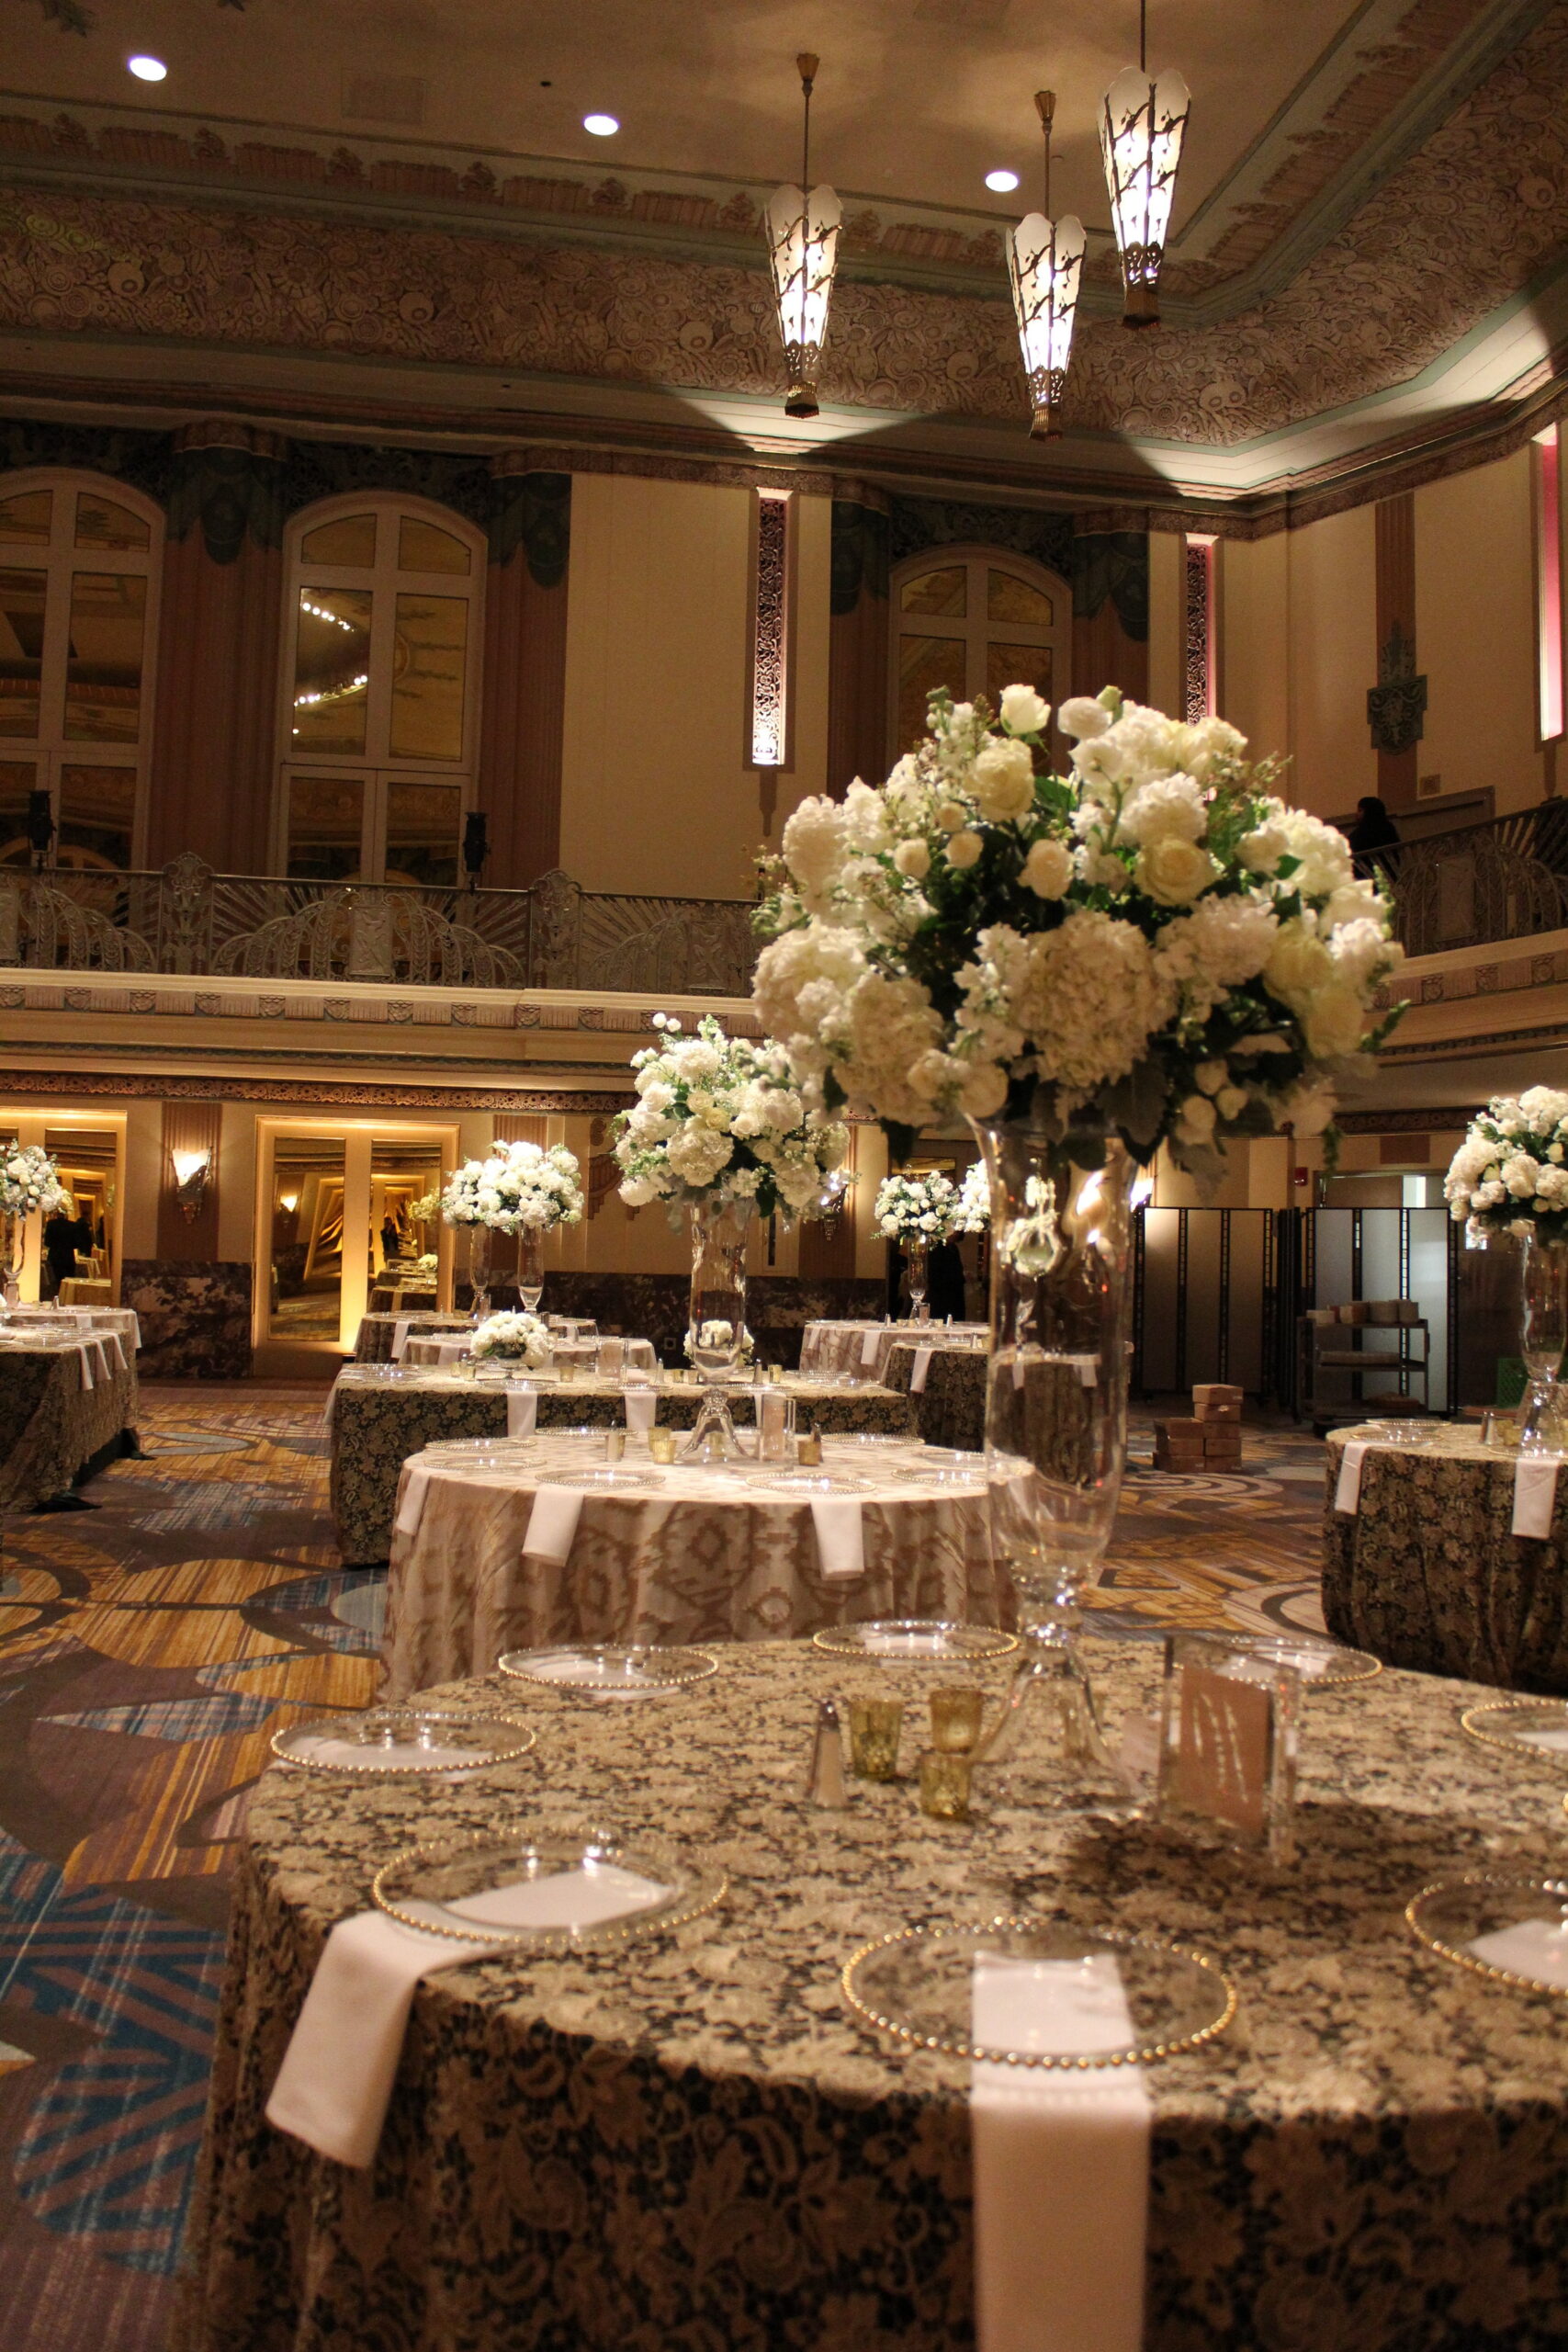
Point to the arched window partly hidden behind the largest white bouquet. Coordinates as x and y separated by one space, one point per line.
974 620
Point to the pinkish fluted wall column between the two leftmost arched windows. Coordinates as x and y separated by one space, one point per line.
215 744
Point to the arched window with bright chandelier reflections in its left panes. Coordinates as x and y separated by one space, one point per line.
382 693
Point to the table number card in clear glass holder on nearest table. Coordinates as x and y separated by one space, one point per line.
1228 1744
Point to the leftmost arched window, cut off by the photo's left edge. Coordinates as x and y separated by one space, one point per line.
79 617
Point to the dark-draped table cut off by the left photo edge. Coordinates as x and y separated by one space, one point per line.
53 1424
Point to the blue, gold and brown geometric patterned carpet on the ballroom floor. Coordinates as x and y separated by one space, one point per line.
149 1650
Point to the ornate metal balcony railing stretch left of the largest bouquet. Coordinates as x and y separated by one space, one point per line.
208 926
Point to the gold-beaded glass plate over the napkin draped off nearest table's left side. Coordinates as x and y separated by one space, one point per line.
547 1890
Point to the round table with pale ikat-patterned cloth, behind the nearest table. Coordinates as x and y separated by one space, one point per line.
699 1556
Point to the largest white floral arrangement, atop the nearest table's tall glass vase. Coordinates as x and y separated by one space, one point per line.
1151 944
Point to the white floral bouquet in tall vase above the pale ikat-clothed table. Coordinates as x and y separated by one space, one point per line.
721 1118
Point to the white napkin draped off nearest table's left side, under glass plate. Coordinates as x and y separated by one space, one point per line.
342 2059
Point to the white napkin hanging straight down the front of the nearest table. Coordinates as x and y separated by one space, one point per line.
1061 2165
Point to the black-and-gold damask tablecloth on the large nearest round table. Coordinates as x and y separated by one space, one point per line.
692 2146
